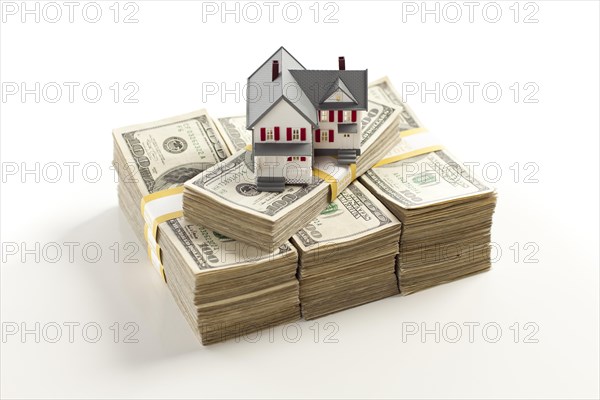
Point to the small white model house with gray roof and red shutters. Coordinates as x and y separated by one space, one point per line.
296 114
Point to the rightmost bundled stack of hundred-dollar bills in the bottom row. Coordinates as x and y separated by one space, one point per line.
446 216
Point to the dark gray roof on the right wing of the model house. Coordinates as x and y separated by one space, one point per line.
317 84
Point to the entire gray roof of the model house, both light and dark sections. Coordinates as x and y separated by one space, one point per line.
305 90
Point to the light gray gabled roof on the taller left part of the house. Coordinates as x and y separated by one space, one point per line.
263 93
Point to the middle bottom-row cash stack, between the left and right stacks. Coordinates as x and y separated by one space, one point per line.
347 254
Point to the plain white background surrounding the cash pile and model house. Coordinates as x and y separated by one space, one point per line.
170 53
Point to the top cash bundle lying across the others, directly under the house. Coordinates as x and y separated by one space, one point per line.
224 197
